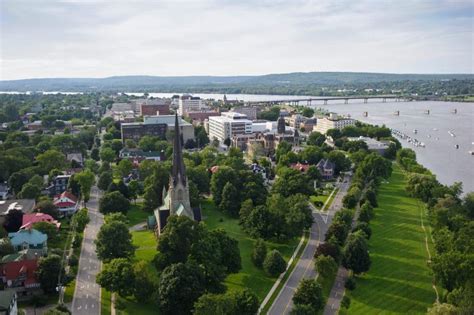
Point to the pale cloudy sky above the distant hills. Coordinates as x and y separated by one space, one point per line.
85 38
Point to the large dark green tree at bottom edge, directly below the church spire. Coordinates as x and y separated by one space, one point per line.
180 286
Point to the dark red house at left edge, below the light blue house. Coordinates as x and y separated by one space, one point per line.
18 271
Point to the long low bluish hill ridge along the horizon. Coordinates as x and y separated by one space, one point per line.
226 84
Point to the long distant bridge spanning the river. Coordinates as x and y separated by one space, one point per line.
310 100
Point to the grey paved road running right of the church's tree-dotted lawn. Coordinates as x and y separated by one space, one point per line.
304 268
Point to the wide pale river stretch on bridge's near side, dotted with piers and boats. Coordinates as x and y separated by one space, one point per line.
440 154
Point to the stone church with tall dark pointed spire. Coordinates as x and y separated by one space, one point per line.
176 199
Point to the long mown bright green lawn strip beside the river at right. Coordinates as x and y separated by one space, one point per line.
399 280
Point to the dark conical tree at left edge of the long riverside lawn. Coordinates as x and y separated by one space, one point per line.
356 254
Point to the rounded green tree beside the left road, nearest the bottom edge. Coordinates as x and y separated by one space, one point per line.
117 276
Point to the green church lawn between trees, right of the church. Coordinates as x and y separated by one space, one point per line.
249 276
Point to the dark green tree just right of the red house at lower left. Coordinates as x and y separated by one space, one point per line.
48 270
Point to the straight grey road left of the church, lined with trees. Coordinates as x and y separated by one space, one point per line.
87 294
